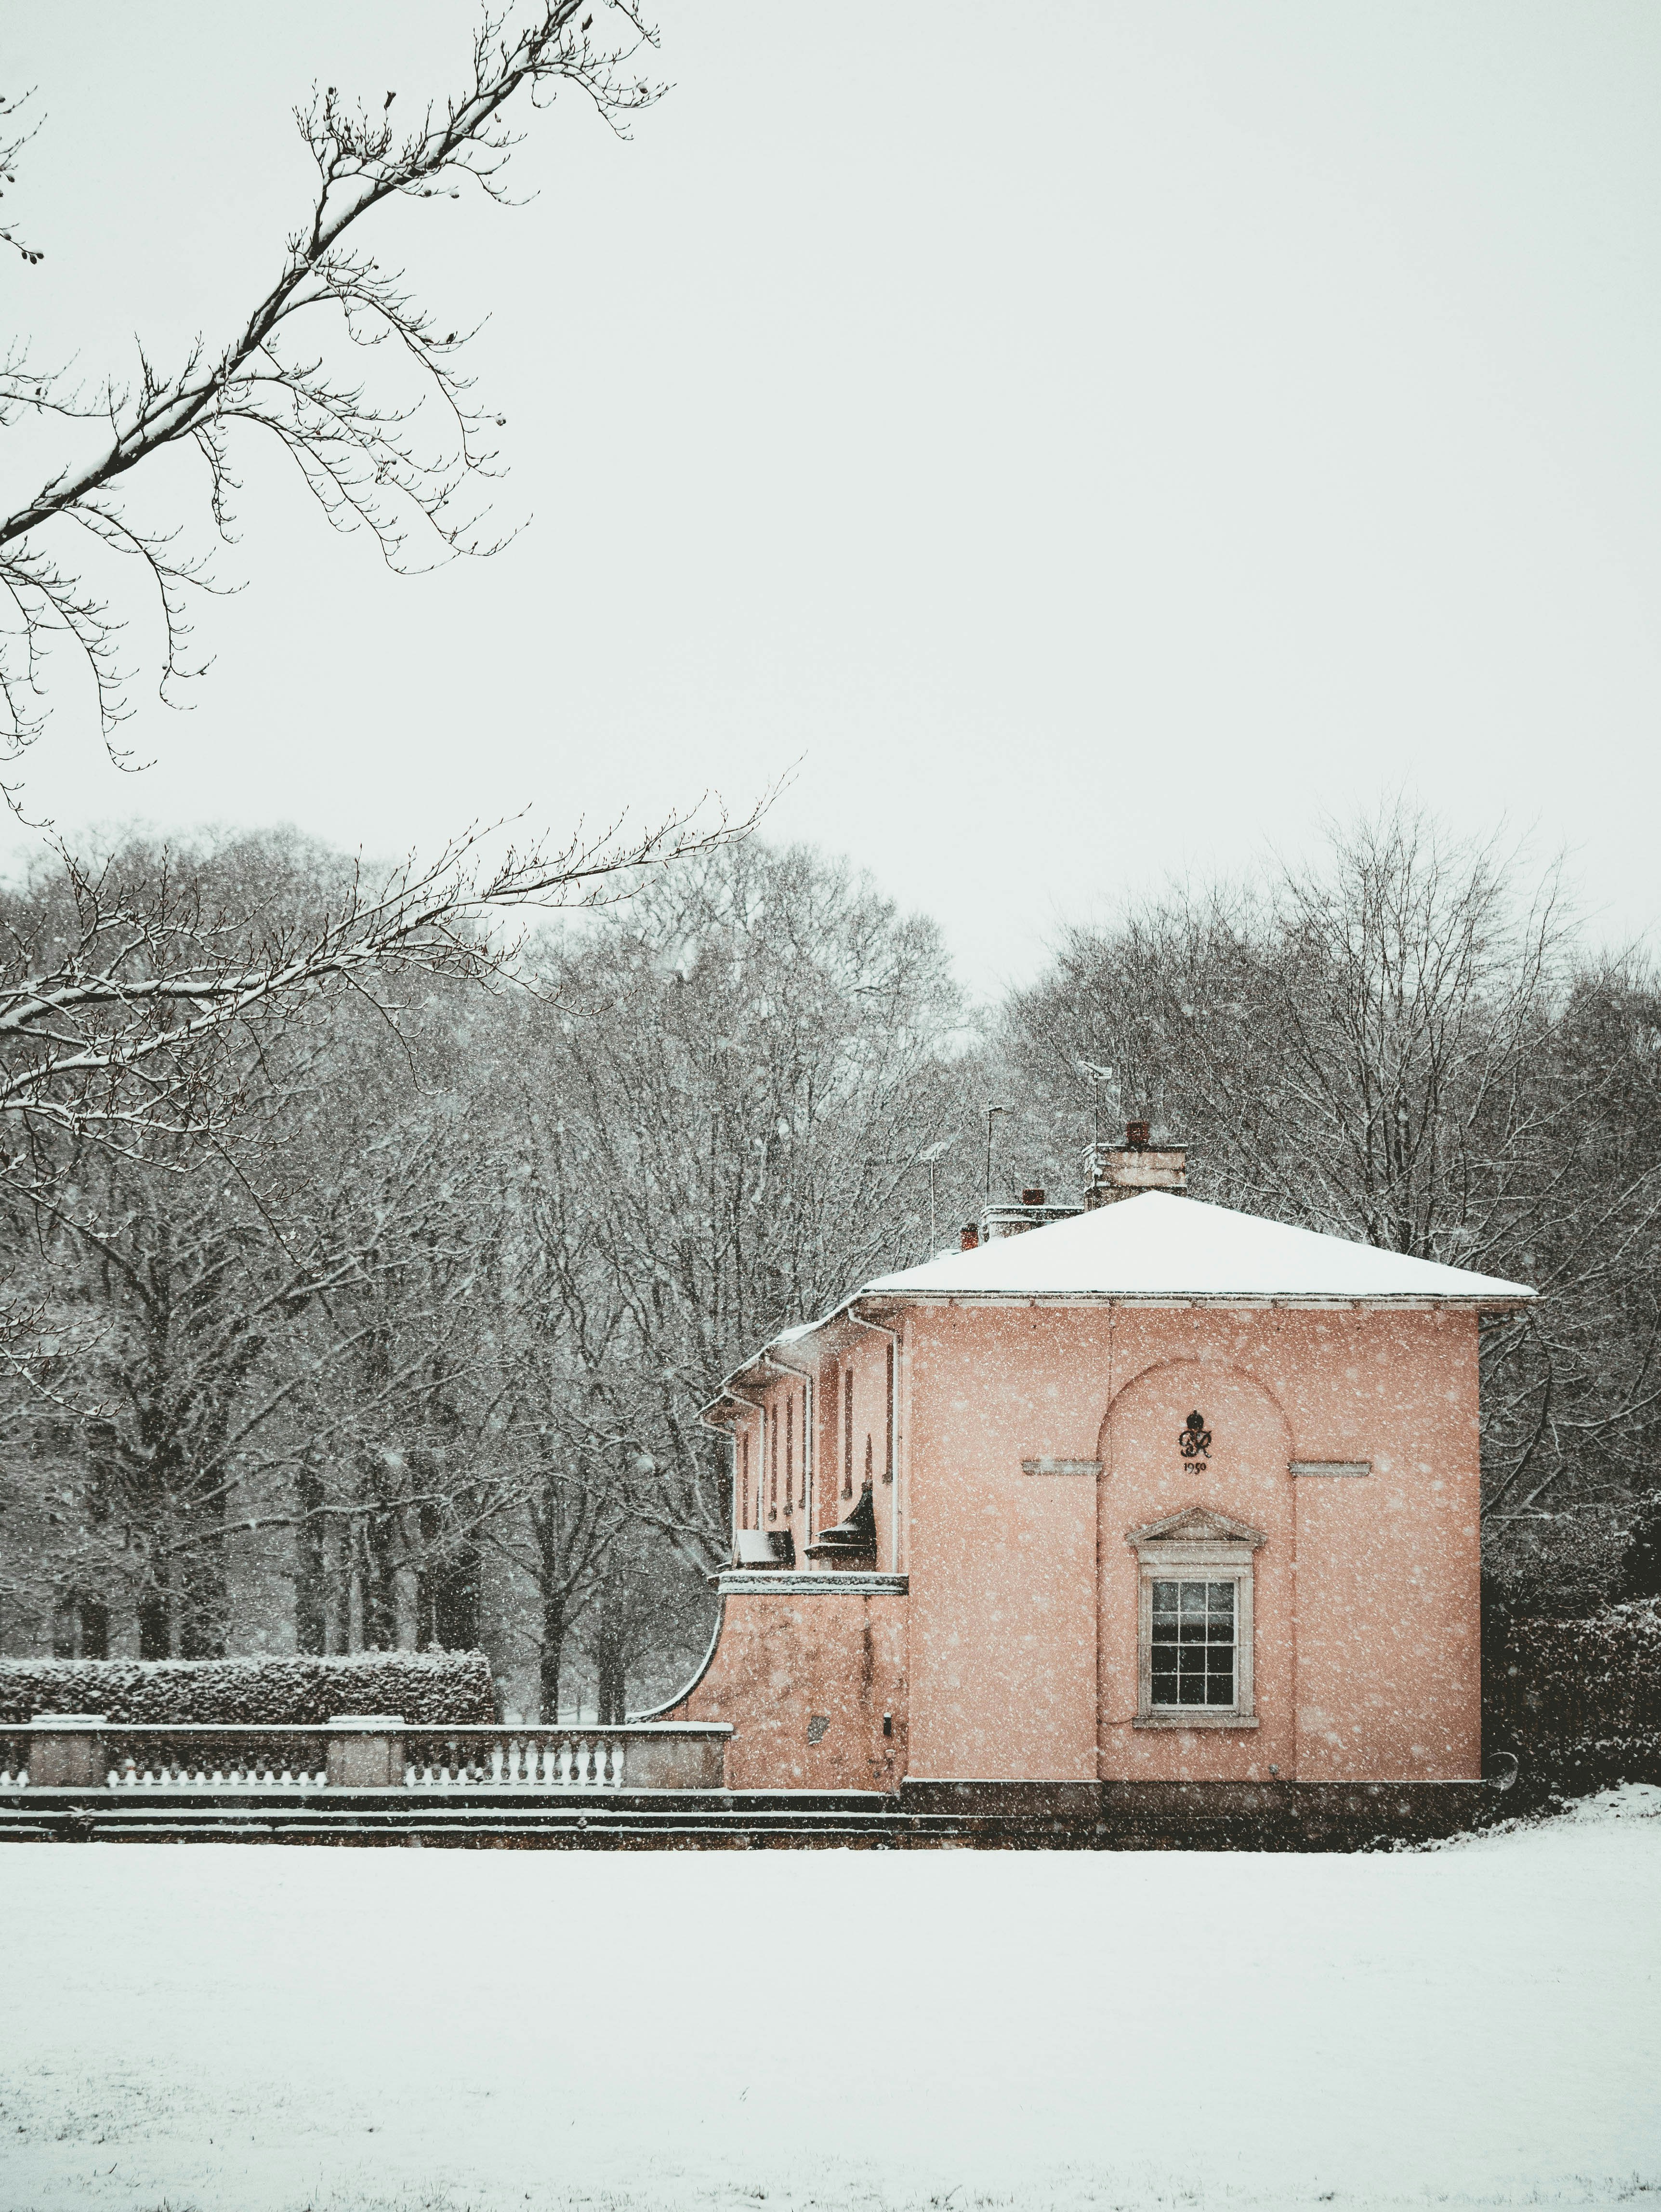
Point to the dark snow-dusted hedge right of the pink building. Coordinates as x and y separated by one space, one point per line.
1582 1700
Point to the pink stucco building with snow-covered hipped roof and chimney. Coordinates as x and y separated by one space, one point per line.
1140 1492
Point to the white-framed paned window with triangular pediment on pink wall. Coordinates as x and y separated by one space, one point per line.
1195 1620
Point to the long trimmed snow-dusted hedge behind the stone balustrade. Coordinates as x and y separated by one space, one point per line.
428 1689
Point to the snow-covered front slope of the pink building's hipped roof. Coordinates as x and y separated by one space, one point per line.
1160 1246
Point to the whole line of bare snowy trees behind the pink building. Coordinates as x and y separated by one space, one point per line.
377 1311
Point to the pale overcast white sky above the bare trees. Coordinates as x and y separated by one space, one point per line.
1087 439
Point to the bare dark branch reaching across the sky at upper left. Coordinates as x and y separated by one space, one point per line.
395 452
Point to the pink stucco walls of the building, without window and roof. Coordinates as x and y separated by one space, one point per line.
1016 1653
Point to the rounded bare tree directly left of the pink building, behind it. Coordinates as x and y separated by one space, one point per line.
740 1083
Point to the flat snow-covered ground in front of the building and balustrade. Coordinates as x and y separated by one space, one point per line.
218 2030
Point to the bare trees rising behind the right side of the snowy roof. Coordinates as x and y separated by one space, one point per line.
1401 1045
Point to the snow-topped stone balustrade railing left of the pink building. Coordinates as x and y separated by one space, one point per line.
359 1753
